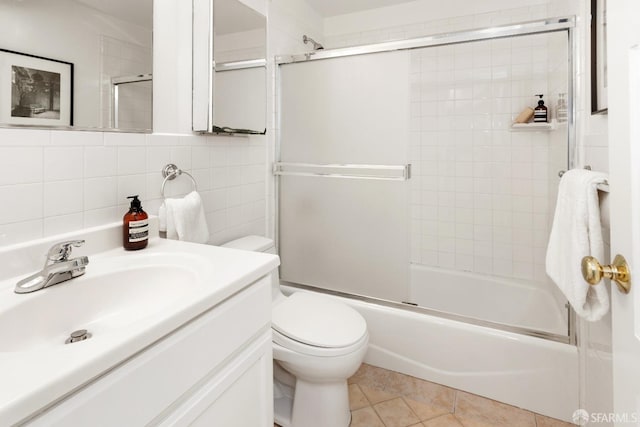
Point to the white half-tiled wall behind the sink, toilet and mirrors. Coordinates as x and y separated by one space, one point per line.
58 181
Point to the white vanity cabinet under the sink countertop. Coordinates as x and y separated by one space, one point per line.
215 370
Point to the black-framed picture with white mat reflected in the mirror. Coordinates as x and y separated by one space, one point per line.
35 90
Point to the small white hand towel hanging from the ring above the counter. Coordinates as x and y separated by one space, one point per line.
185 219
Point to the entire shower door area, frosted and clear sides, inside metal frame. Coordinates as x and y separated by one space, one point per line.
466 236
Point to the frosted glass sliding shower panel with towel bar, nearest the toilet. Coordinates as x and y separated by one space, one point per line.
343 165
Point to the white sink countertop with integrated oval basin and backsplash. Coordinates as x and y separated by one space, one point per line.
127 301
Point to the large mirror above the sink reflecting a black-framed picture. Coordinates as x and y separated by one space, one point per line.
104 42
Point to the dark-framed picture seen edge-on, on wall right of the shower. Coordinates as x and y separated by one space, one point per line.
599 72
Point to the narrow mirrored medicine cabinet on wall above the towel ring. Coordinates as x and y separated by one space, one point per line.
229 68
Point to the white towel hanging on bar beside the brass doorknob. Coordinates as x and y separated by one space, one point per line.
576 233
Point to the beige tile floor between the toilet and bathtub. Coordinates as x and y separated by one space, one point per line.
382 398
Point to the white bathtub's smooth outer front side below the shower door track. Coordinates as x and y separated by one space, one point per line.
536 374
